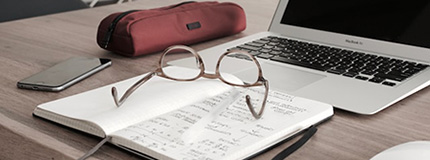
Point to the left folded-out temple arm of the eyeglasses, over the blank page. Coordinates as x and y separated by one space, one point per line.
130 90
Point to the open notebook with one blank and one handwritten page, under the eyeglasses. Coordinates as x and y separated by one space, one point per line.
202 119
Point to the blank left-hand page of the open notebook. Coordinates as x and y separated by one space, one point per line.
155 97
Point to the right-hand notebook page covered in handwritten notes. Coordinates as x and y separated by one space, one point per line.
224 134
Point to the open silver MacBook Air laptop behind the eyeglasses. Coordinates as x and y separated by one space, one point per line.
384 46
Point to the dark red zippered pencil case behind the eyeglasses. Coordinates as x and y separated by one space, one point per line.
140 32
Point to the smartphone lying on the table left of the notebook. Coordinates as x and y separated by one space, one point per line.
64 74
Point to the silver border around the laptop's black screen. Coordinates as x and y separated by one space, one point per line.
415 53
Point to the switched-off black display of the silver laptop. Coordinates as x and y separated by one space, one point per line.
399 21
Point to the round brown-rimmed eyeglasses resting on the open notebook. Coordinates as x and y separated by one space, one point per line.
200 72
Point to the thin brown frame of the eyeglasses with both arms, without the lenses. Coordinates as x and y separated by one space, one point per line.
261 81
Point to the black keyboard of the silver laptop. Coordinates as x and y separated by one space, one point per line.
353 64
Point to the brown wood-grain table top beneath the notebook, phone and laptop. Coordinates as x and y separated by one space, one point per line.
31 45
